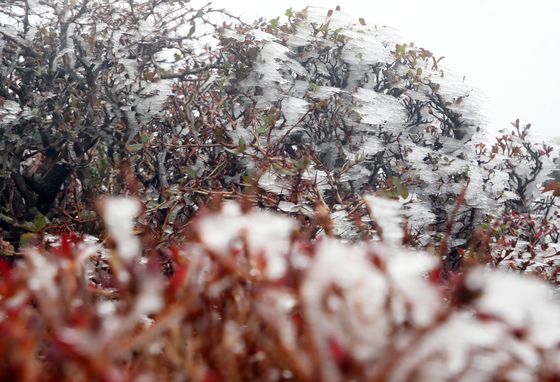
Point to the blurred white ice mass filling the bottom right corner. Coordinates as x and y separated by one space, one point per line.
515 318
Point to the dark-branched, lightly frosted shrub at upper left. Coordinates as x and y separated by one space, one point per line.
84 93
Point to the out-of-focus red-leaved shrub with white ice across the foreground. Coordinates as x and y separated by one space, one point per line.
249 297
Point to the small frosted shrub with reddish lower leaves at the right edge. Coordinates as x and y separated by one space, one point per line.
527 235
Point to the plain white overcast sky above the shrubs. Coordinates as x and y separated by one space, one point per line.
508 49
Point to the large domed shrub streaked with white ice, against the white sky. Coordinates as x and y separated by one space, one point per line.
352 109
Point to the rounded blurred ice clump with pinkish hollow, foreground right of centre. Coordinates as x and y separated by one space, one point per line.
360 292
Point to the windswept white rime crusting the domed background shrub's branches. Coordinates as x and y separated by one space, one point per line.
347 77
